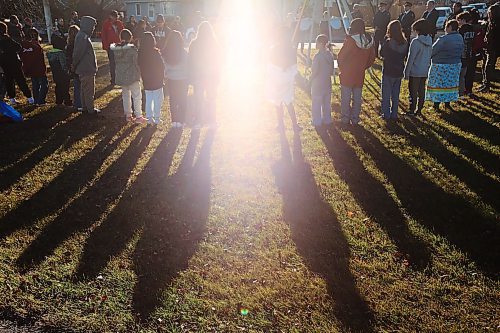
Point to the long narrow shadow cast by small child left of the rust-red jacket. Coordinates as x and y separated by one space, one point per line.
374 199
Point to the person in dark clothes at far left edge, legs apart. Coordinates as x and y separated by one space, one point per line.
12 66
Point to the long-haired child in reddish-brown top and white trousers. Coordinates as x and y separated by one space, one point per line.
152 72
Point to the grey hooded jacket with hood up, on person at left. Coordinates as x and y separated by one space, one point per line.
84 60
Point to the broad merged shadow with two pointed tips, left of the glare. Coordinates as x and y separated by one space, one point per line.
169 213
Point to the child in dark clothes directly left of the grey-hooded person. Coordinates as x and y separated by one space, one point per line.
60 70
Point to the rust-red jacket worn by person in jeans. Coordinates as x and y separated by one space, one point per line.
356 55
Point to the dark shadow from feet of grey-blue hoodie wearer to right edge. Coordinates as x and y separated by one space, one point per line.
483 185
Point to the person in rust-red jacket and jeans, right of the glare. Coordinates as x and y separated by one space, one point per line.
356 55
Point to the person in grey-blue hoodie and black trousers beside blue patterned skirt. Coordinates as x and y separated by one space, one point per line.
417 66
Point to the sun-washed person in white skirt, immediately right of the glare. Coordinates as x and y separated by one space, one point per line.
282 69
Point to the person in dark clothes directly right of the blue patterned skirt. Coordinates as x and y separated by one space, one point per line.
468 65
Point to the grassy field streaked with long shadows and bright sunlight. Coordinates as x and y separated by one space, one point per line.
112 227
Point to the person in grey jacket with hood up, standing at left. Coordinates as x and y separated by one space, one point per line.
85 63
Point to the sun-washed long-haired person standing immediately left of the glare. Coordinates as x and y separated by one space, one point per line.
204 73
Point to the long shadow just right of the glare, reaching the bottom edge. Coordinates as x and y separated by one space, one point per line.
318 235
